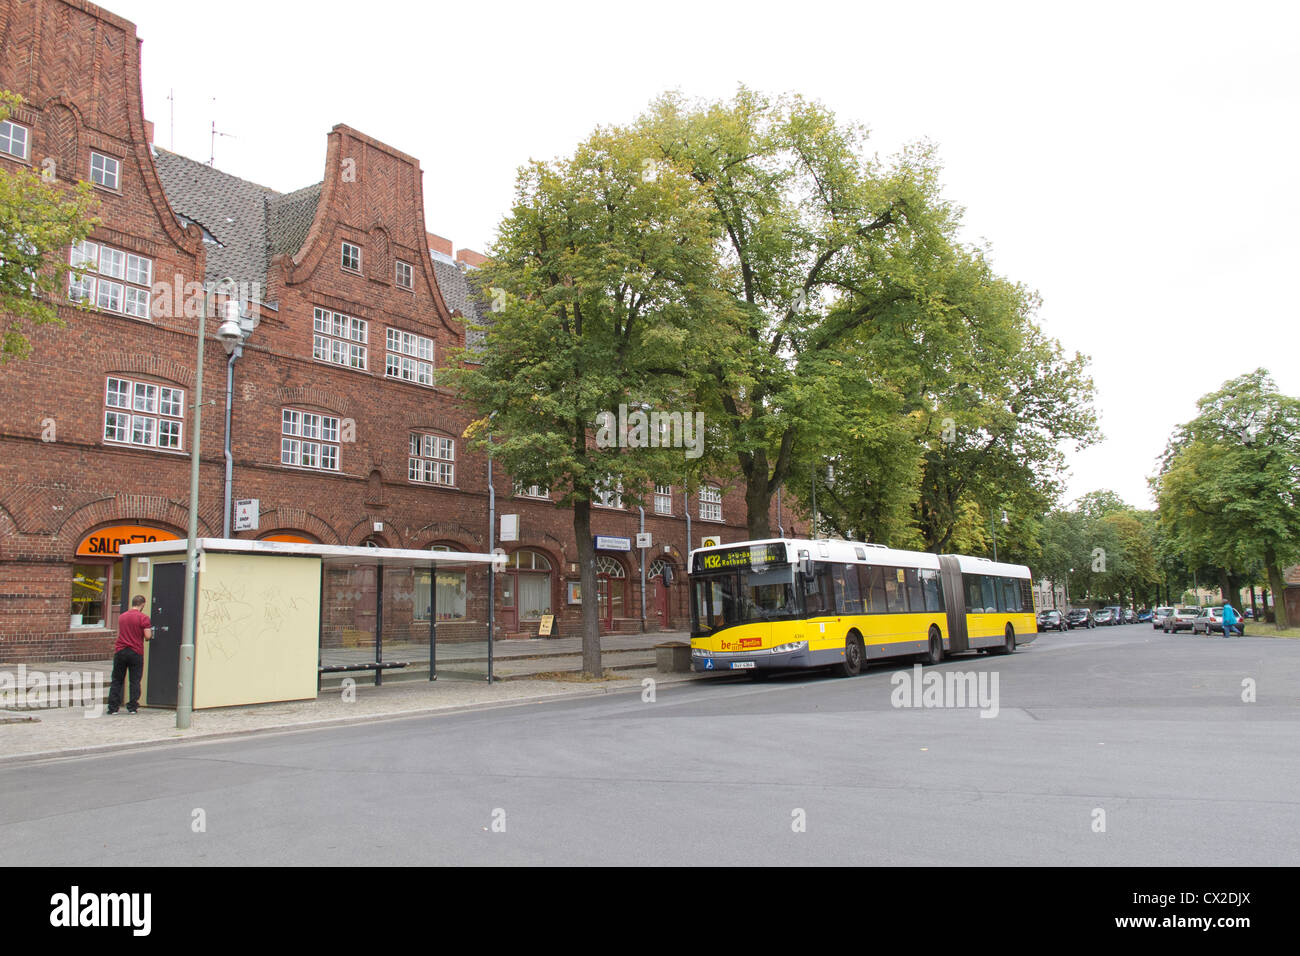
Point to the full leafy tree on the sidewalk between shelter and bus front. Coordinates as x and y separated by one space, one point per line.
595 278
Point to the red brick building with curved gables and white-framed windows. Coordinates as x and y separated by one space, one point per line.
340 425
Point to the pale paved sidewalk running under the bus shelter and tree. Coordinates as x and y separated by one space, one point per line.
76 732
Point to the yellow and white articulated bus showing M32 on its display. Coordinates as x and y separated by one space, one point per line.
795 603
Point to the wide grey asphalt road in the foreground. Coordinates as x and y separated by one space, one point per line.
1125 728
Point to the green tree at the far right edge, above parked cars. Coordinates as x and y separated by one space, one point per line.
1229 486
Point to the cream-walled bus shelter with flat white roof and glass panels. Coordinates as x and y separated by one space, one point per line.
274 617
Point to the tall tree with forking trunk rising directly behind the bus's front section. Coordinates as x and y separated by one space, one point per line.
803 220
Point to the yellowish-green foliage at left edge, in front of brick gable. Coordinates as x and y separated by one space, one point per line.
40 223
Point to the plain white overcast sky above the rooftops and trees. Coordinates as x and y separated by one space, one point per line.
1134 163
